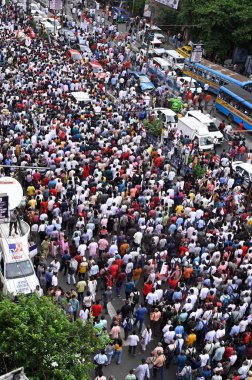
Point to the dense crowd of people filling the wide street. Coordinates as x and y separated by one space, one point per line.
112 213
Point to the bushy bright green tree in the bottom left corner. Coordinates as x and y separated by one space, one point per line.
37 335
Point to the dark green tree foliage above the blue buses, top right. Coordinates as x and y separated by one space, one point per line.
219 24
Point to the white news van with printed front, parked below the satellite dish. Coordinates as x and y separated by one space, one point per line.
16 268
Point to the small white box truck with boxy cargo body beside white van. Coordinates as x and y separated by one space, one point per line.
194 129
